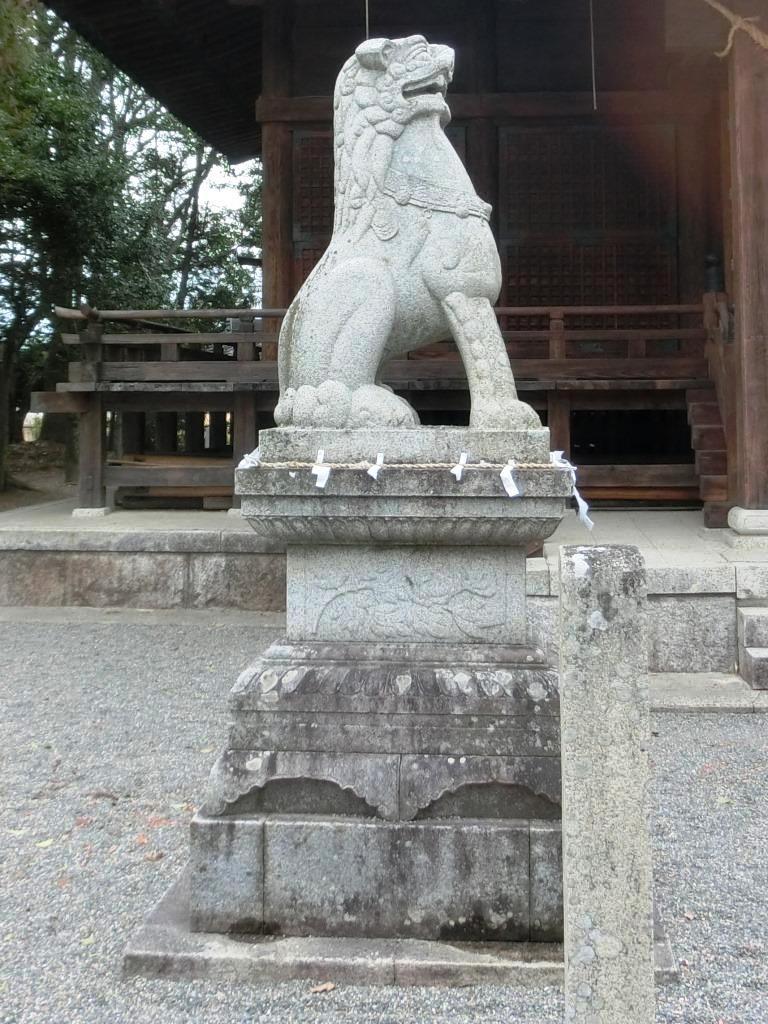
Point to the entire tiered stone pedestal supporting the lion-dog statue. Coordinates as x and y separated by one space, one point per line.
393 769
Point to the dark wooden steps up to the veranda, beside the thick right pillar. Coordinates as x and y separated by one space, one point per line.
708 440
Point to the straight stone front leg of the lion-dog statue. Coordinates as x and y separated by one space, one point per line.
492 386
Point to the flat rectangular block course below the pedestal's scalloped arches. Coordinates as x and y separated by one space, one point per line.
462 880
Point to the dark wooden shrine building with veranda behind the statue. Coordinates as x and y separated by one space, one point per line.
632 224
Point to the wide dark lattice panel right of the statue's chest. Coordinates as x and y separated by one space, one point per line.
588 218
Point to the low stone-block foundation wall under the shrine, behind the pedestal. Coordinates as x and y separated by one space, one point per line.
693 610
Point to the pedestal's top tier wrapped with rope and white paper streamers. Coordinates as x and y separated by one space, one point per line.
415 500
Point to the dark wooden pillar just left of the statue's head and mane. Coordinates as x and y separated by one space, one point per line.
277 160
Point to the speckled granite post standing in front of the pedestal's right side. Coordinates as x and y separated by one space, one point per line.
605 712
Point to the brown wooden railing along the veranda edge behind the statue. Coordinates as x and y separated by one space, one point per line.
568 343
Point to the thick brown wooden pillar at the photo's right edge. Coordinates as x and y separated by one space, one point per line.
749 130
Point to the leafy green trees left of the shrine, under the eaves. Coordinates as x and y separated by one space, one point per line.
102 198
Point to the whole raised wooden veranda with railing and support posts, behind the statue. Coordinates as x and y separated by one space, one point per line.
166 362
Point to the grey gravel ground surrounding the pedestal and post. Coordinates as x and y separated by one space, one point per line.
107 734
